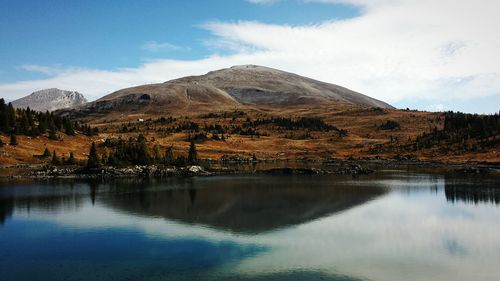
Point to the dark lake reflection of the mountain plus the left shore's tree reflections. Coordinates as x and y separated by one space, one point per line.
240 204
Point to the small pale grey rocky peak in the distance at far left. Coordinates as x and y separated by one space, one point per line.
50 99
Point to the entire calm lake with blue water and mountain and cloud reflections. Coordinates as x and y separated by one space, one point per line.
391 225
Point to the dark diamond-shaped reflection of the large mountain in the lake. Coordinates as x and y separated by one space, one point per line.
246 205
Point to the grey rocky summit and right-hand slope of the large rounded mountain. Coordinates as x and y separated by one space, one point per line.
257 85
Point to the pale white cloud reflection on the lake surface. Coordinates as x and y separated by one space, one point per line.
397 227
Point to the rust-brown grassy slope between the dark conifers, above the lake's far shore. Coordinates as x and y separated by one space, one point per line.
361 124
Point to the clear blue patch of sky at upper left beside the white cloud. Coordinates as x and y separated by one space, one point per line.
115 34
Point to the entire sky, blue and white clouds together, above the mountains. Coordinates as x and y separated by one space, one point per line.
427 55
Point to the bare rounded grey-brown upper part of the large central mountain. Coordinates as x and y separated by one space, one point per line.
226 89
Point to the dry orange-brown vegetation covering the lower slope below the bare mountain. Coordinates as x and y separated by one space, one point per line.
365 139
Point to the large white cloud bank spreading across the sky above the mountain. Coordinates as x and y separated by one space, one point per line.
434 51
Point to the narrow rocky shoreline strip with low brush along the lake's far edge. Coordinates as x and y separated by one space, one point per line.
217 168
